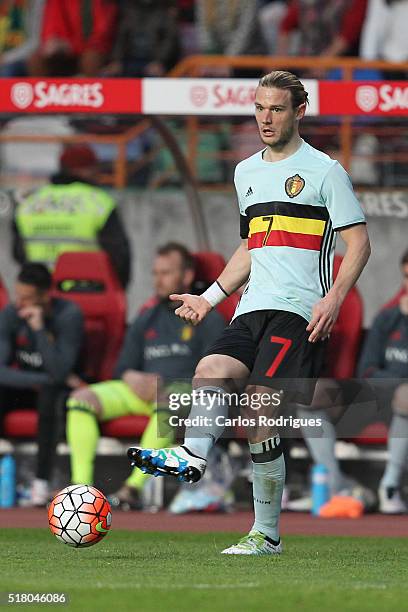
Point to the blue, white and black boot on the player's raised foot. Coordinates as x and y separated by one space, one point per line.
177 461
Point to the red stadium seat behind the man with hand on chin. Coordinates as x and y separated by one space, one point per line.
90 281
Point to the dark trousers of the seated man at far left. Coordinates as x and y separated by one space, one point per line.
49 401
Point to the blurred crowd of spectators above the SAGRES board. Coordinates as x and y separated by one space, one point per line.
136 38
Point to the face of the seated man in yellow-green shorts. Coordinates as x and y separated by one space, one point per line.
169 275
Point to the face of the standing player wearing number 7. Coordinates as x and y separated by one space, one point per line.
276 118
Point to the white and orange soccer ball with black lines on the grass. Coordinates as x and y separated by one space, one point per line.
80 516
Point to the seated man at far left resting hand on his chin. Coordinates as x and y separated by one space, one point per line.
42 336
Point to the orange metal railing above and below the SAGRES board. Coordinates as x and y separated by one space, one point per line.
197 65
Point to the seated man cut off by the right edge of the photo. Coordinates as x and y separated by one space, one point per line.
385 355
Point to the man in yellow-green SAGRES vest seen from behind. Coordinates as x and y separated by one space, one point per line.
71 213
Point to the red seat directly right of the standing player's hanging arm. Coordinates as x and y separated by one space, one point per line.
345 339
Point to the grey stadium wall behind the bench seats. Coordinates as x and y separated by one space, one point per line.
153 218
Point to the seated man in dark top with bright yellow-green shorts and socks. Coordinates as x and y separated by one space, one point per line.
158 347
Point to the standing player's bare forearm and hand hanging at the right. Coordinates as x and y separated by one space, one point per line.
326 311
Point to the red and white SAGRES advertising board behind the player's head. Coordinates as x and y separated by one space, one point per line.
193 96
